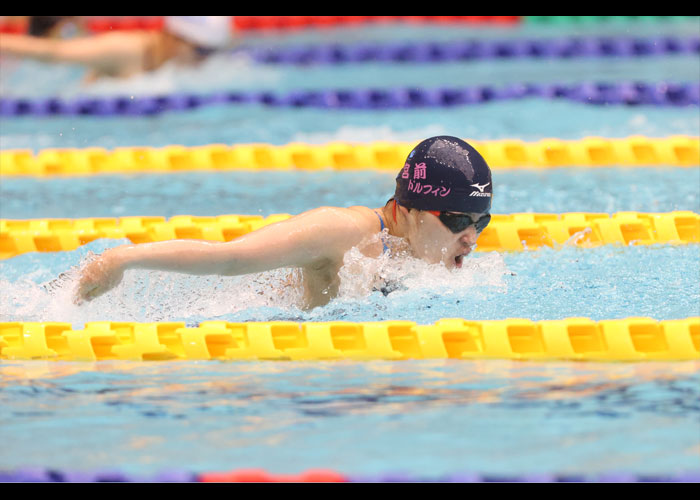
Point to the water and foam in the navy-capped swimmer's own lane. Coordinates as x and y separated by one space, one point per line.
602 283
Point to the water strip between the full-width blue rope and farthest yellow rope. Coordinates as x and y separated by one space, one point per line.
529 120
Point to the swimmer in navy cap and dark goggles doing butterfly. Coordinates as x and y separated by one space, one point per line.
440 206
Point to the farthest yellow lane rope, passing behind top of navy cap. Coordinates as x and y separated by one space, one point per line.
676 151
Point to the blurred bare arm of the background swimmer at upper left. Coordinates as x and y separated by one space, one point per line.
99 51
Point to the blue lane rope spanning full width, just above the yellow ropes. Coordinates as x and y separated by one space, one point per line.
595 93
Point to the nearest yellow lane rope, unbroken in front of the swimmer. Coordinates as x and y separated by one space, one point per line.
631 339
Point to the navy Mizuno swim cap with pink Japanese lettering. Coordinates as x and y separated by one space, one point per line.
445 173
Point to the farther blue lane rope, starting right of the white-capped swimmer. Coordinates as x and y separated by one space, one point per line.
476 49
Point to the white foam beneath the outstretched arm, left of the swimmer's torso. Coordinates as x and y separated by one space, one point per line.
146 296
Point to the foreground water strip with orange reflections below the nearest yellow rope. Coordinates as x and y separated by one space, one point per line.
423 418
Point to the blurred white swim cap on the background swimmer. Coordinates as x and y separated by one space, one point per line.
209 32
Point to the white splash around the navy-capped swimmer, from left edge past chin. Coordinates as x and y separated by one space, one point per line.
47 294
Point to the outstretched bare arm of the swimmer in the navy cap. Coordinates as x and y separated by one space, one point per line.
311 240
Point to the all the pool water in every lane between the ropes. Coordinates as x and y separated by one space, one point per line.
426 418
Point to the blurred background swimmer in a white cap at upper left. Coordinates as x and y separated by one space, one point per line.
186 40
